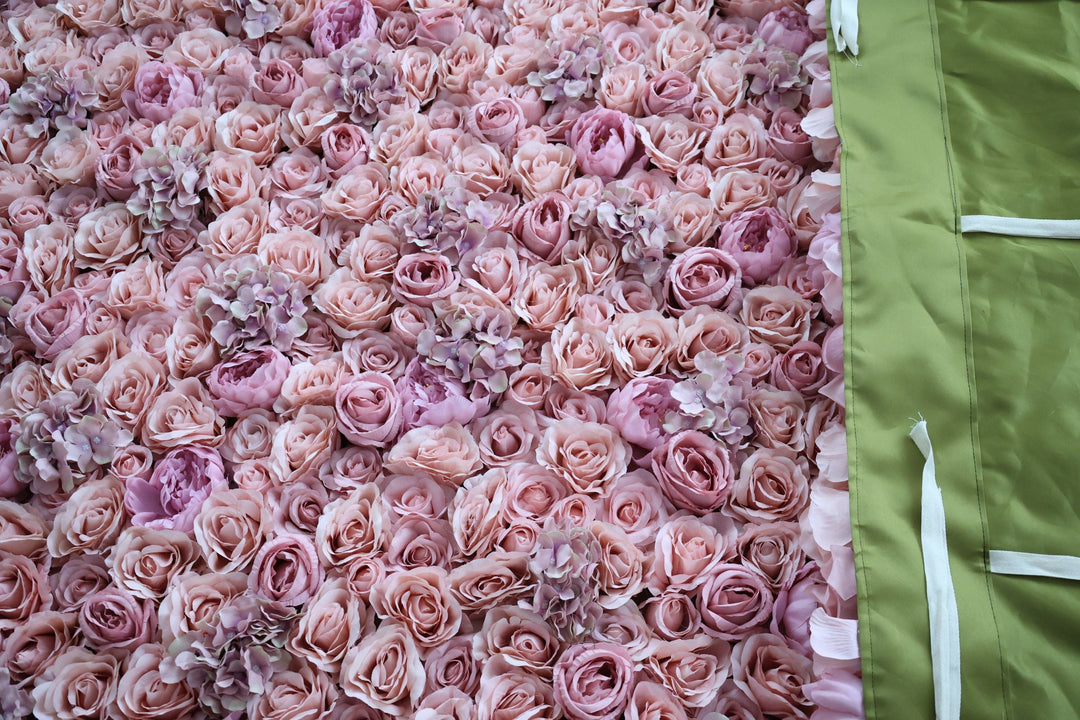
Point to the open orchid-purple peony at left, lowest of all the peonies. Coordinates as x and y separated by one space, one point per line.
175 493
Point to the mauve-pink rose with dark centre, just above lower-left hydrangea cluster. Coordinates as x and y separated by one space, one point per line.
287 570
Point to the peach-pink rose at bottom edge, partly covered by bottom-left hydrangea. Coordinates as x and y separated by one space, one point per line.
142 694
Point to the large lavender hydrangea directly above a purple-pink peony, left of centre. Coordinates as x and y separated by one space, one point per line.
251 304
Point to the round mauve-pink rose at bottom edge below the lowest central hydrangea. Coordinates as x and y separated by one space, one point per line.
595 682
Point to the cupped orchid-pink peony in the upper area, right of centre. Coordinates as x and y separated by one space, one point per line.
605 143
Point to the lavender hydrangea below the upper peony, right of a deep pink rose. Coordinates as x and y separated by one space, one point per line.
640 230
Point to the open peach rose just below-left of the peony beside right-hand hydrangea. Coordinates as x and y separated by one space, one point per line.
589 456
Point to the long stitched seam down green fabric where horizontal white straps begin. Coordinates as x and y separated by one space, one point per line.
968 345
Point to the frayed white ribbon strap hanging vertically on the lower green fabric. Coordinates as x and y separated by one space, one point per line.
944 620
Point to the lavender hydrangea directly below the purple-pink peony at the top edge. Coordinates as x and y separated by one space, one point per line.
361 83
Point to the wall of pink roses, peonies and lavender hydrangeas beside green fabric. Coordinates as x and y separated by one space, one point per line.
433 359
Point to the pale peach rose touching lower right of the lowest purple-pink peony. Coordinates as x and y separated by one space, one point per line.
231 528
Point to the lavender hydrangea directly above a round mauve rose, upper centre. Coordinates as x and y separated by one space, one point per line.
449 222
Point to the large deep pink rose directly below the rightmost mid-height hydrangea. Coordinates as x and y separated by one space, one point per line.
695 471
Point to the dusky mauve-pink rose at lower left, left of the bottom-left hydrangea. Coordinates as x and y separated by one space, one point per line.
115 620
